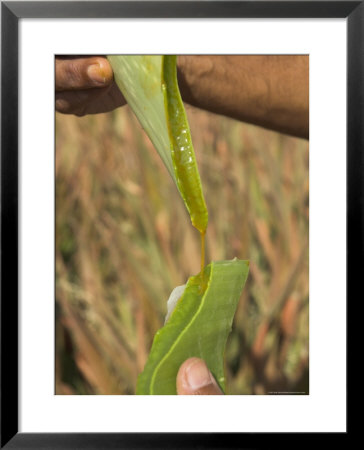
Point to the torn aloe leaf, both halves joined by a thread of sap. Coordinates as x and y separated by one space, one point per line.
201 320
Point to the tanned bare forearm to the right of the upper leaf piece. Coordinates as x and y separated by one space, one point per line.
270 91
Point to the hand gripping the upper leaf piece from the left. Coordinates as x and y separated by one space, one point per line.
85 85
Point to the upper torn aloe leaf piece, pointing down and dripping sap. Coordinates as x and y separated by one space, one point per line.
149 84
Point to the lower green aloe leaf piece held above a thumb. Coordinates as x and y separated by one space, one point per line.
199 326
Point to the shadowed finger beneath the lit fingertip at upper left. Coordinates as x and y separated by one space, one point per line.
90 101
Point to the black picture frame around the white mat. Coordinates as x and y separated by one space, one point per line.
11 12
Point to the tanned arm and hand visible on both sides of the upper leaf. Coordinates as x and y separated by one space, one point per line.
270 91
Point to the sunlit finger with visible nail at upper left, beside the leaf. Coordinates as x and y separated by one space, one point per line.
82 73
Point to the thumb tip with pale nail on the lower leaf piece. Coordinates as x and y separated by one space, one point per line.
194 378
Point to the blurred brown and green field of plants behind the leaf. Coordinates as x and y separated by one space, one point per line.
124 241
